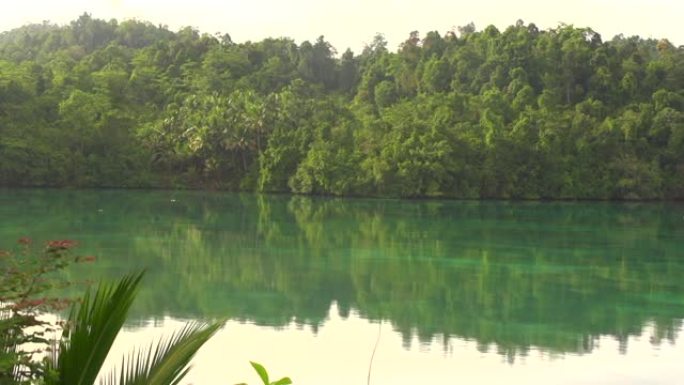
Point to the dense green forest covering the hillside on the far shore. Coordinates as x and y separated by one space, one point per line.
521 113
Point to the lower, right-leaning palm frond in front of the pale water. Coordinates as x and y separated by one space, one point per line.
166 362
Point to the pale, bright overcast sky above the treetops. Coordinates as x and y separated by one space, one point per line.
351 23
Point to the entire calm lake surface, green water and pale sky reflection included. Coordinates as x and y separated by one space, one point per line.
445 292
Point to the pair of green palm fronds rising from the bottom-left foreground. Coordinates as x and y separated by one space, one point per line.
90 333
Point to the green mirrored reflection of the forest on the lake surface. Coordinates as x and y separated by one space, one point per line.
516 275
